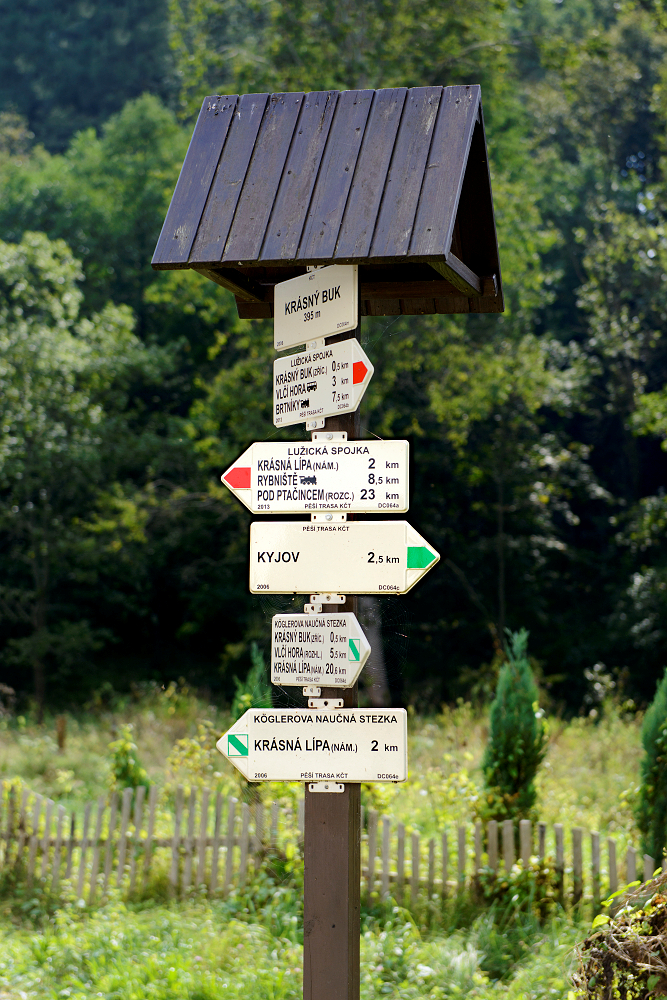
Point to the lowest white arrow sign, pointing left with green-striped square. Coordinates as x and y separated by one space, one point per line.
310 744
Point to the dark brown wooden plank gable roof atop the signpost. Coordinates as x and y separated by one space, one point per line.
396 181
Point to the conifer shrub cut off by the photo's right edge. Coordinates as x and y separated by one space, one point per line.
652 801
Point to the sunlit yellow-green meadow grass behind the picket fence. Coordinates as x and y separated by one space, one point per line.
589 777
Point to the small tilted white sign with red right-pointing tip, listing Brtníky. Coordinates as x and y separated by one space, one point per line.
321 382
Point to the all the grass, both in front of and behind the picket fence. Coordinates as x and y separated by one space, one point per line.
200 950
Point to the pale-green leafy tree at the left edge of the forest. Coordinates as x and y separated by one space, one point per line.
63 402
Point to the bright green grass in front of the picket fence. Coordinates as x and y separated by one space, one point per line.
202 951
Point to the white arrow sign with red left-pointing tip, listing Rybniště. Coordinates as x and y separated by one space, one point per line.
299 477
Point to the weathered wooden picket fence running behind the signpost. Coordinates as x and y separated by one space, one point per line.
207 843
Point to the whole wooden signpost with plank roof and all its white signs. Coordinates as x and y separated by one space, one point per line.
273 185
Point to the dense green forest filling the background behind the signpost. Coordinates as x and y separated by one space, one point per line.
538 436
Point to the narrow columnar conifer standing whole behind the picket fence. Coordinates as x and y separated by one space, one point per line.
517 738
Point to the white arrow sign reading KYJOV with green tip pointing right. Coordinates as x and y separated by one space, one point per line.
352 557
